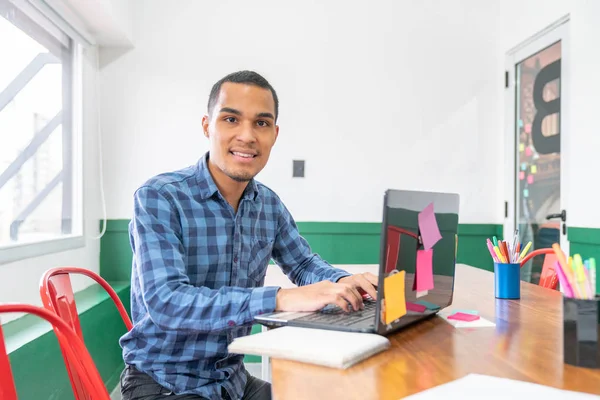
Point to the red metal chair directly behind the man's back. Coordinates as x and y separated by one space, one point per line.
57 296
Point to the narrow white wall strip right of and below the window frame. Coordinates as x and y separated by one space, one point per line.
19 281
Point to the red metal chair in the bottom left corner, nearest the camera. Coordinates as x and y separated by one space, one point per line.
74 349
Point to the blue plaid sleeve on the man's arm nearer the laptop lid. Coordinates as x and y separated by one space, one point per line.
295 257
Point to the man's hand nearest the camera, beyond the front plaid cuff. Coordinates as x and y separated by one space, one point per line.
316 296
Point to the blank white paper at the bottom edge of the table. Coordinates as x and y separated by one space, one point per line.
476 386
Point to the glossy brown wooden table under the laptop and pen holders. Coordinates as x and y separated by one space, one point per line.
526 345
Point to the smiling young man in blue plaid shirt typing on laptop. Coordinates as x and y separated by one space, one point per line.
202 238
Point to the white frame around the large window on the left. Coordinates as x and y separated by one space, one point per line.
25 250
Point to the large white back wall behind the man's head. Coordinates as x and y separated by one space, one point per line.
373 95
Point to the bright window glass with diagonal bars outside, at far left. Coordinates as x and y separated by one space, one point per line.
40 167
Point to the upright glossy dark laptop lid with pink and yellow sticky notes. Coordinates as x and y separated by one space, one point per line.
418 256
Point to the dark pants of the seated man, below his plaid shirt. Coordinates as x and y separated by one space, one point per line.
136 385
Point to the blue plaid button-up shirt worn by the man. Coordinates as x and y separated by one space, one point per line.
198 274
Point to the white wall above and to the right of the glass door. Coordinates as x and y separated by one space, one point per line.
522 19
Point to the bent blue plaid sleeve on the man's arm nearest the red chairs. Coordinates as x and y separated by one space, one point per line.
172 302
